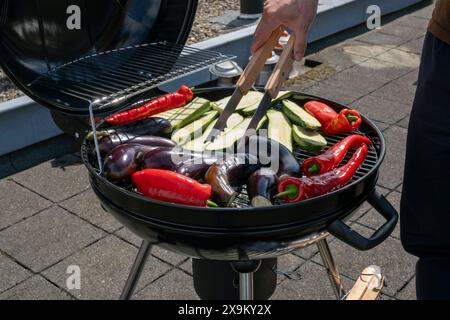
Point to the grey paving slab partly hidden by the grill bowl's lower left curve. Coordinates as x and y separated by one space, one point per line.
87 206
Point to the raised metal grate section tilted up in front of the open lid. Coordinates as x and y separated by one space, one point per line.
113 76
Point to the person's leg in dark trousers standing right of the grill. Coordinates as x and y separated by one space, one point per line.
425 204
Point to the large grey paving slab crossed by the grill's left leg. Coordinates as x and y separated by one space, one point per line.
105 266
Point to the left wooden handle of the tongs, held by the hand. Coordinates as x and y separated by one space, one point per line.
254 67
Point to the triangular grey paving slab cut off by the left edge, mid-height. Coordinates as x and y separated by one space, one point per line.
18 203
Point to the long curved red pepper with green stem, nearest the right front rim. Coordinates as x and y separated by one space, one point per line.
296 189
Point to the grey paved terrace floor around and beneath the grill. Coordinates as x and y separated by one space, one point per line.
50 219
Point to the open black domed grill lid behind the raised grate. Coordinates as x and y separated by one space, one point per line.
38 37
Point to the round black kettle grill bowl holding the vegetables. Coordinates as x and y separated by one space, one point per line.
240 232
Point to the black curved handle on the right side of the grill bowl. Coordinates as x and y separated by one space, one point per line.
343 232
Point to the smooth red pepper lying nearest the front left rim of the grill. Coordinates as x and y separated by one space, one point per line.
170 186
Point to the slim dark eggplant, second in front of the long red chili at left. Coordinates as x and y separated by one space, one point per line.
108 140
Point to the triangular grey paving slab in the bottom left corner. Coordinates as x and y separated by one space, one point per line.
35 288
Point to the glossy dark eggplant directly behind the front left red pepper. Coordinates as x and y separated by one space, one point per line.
188 163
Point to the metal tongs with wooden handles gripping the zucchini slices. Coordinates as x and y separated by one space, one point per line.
248 78
